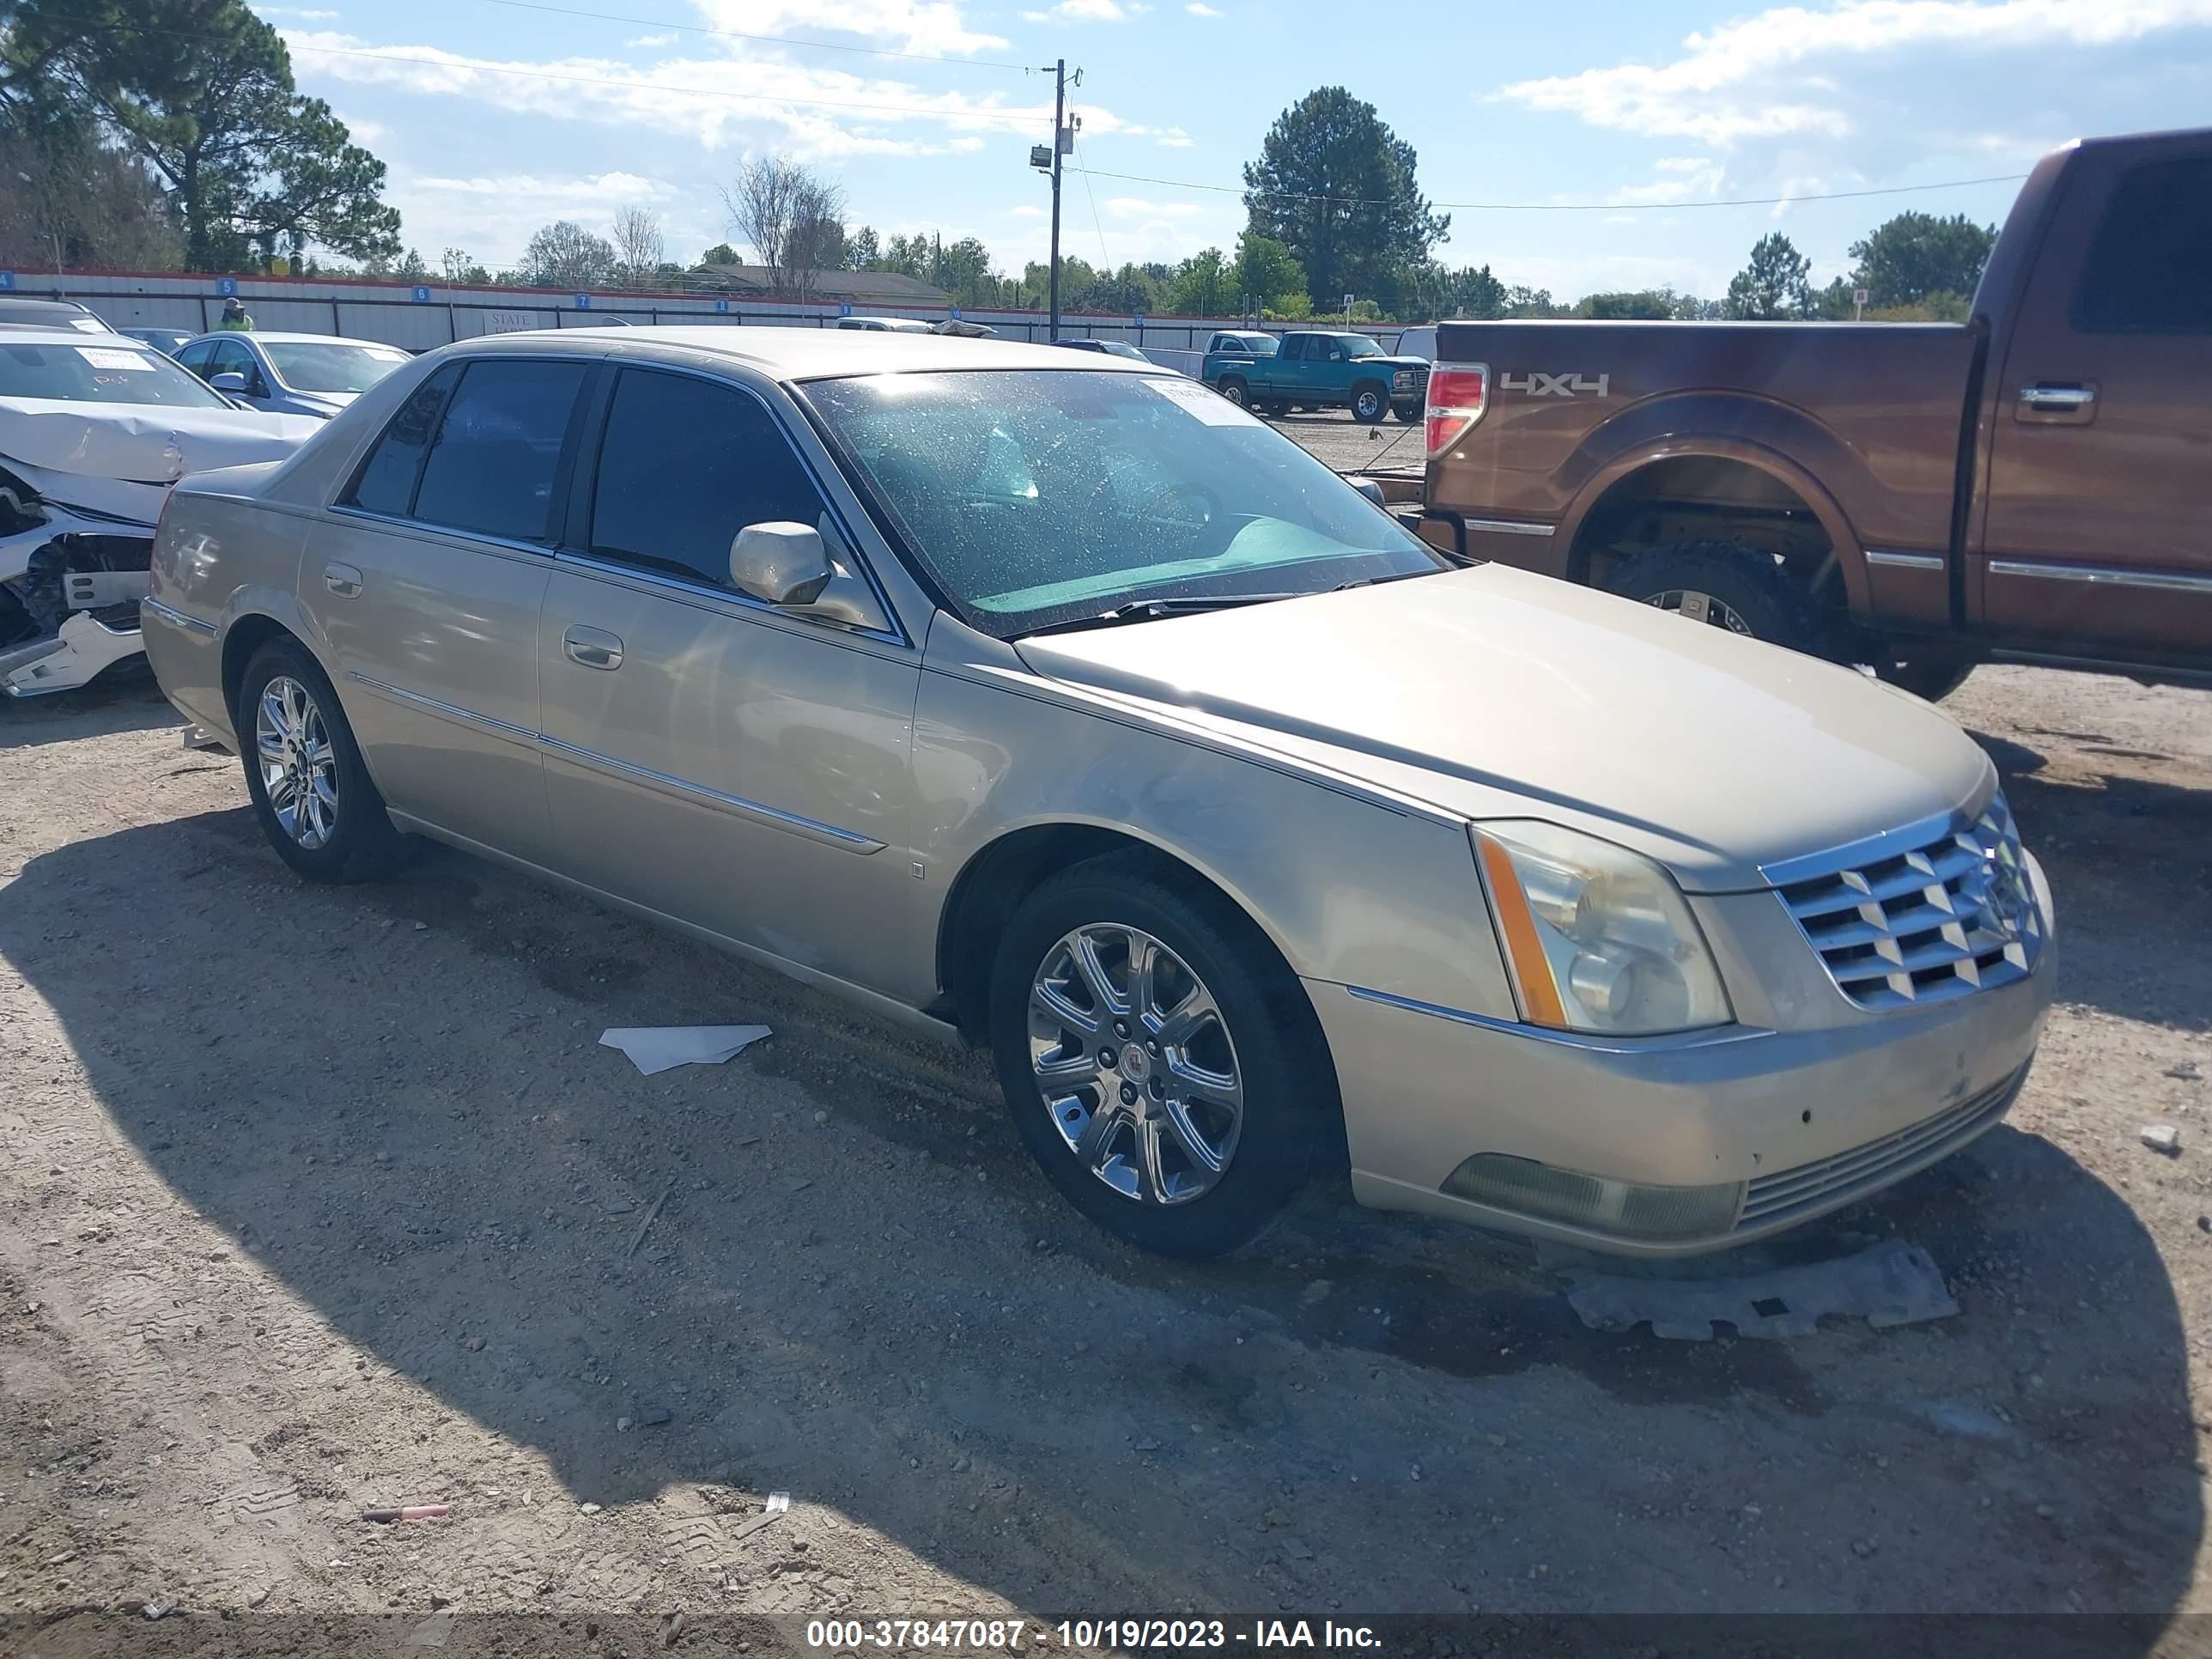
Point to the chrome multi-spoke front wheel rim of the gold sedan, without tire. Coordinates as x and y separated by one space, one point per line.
1136 1065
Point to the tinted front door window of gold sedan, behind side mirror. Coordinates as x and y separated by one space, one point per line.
685 468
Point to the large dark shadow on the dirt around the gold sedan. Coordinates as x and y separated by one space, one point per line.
857 1288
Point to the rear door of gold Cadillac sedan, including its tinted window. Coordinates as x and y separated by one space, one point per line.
428 578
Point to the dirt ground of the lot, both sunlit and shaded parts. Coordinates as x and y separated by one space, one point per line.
320 1200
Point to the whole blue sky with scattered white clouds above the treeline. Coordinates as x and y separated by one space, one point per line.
1569 140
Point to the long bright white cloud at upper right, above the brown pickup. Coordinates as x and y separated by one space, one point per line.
1773 74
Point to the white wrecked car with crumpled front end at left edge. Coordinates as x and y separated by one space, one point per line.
94 430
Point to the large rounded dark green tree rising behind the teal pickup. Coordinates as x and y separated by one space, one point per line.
1337 187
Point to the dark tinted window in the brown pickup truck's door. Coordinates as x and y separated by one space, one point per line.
2149 269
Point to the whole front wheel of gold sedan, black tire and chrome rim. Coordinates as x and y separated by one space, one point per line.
1160 1058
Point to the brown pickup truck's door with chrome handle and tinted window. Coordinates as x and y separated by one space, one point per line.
2098 534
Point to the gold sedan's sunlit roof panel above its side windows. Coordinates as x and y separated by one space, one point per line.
808 353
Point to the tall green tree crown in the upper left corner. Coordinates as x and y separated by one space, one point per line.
202 94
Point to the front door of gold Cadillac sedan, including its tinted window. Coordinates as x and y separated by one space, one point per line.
709 755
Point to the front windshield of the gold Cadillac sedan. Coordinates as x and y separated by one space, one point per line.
1043 497
